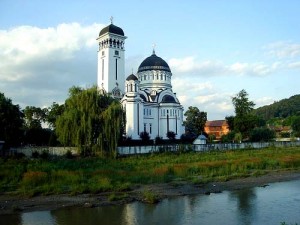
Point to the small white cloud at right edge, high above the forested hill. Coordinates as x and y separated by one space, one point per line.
283 49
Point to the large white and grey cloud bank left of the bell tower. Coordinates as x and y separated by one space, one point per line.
38 65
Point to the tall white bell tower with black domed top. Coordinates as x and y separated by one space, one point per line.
111 60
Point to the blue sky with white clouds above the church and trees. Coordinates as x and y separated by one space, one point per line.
214 48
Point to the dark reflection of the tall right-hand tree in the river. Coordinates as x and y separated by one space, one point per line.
246 204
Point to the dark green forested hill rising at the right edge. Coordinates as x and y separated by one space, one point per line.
283 108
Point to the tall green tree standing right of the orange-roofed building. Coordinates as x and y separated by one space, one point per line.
244 120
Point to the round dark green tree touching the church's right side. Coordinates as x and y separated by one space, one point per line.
195 120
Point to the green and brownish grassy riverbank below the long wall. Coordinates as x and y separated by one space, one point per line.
31 177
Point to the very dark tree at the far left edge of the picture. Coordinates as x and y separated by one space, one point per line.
11 122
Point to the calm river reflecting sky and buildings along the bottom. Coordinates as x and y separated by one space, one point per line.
279 202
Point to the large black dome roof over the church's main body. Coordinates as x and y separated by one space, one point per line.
154 62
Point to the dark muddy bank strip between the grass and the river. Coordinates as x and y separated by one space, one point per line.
15 204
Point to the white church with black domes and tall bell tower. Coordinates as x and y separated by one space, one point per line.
148 99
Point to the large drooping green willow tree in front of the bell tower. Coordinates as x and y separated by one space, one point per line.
86 120
